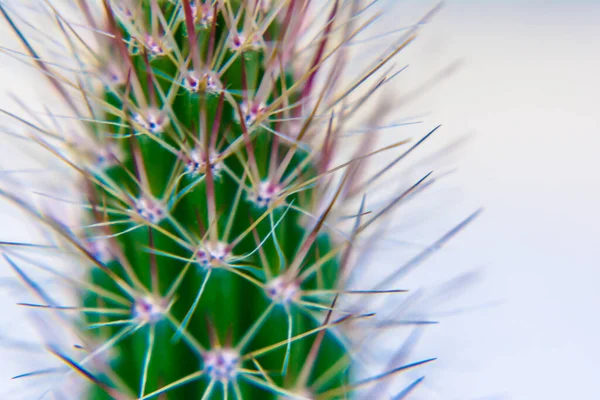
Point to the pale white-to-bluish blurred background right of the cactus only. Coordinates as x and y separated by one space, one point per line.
526 95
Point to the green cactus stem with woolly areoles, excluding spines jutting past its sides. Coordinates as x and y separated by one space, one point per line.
221 236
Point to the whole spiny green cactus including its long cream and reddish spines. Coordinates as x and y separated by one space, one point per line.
218 228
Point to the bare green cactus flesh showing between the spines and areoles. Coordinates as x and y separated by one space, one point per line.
230 305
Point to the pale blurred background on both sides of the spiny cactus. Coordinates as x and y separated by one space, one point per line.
515 85
